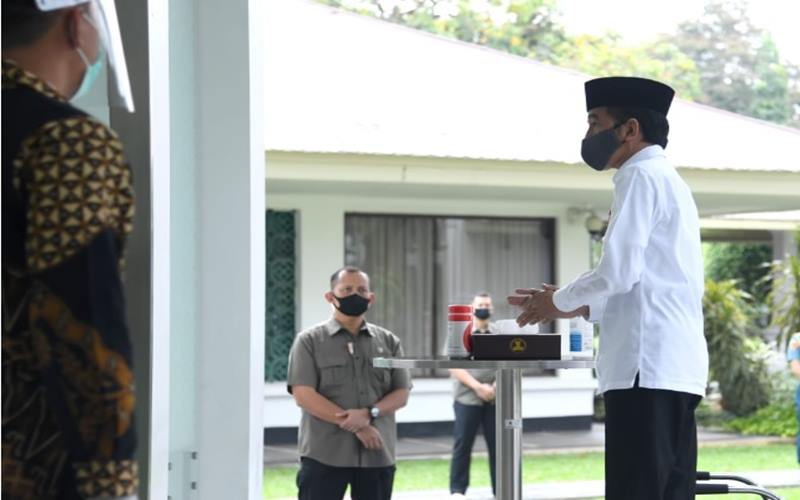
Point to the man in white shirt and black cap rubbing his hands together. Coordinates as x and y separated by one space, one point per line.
646 293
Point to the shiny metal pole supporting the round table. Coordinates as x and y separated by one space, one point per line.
509 434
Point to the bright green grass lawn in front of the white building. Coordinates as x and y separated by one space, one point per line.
434 474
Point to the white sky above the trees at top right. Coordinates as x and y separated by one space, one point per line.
641 20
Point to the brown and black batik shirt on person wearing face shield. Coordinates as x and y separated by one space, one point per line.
68 391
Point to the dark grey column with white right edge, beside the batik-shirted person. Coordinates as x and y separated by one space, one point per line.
146 137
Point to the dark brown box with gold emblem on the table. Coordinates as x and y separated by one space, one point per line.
504 346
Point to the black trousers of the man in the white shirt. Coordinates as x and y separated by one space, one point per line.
651 444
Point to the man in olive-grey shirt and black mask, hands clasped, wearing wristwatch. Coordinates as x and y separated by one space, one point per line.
347 432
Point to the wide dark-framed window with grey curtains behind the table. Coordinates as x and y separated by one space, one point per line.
420 264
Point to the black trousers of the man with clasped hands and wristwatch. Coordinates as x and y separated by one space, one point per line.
317 481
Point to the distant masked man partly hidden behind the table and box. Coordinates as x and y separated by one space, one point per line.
473 391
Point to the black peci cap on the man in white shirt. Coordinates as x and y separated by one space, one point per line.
627 91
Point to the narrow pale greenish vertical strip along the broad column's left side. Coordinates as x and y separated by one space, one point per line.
184 335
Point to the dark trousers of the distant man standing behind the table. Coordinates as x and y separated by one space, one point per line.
468 419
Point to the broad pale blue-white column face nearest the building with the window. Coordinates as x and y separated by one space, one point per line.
231 248
